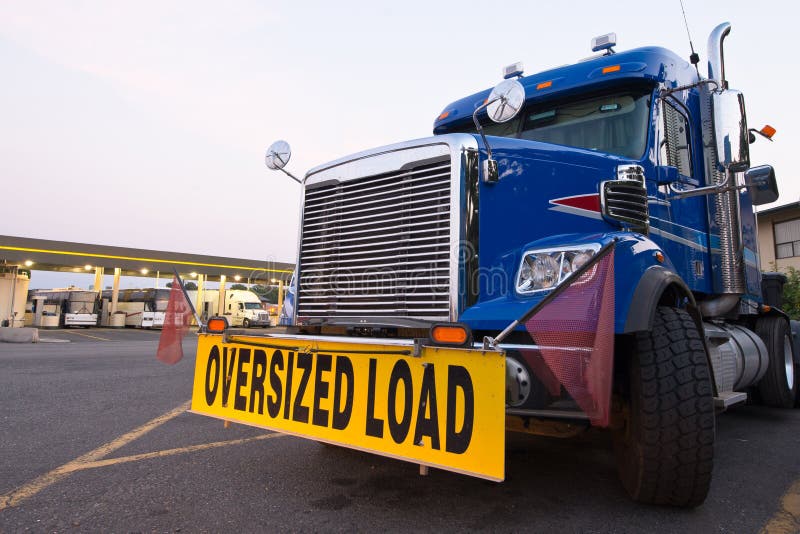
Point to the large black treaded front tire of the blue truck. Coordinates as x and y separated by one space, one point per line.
665 449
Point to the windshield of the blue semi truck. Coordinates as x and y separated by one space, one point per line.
614 123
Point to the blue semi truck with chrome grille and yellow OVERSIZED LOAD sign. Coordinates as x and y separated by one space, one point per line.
571 249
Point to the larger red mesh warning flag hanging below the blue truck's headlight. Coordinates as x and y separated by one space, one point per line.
574 334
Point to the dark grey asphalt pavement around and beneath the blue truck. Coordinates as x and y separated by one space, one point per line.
95 437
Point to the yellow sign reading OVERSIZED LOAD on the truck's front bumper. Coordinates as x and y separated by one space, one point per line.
445 408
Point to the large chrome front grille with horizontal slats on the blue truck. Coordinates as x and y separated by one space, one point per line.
378 245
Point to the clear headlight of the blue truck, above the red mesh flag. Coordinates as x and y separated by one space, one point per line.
546 268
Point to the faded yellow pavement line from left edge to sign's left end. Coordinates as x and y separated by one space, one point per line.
16 496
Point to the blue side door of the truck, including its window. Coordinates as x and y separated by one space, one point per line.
680 225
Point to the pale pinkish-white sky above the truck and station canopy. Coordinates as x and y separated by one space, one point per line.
144 123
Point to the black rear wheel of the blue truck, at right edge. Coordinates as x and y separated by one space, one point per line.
778 387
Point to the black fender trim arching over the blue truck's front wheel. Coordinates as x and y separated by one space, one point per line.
655 282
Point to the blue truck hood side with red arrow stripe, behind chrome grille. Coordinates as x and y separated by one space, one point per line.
547 195
